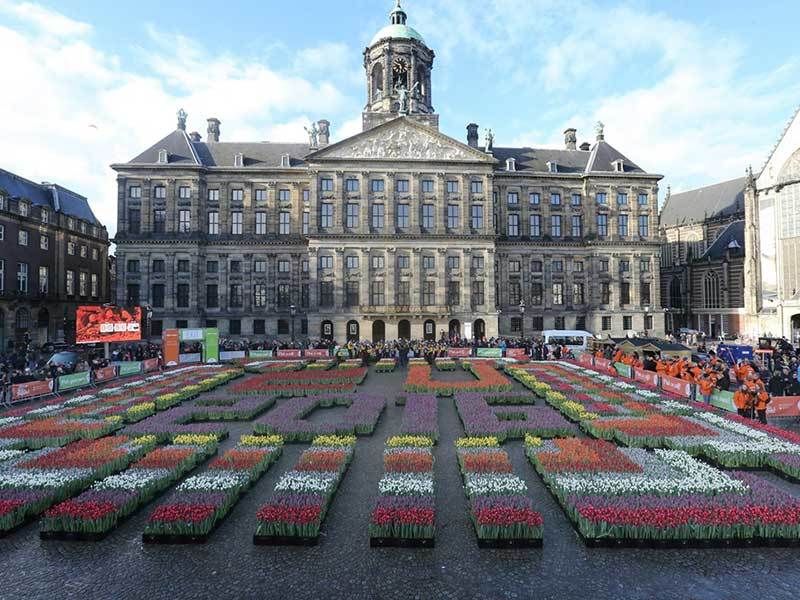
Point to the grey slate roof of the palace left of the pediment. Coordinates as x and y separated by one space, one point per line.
182 151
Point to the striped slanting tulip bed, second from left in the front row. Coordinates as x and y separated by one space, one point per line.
94 513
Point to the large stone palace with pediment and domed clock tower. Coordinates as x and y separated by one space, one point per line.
398 231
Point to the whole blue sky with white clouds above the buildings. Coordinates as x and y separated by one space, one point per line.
695 91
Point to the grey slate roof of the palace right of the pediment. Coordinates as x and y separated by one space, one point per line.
597 160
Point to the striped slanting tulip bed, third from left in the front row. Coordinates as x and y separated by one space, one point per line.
201 502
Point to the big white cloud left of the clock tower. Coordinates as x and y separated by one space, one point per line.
77 108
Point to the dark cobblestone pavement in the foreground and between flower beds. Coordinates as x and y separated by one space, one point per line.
344 566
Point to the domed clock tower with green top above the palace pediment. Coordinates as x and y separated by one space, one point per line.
398 67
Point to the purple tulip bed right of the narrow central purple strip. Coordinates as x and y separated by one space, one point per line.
509 421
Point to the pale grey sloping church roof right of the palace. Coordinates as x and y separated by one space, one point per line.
718 200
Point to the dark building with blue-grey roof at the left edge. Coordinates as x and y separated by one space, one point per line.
53 258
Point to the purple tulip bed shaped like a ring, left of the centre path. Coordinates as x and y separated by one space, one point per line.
289 418
